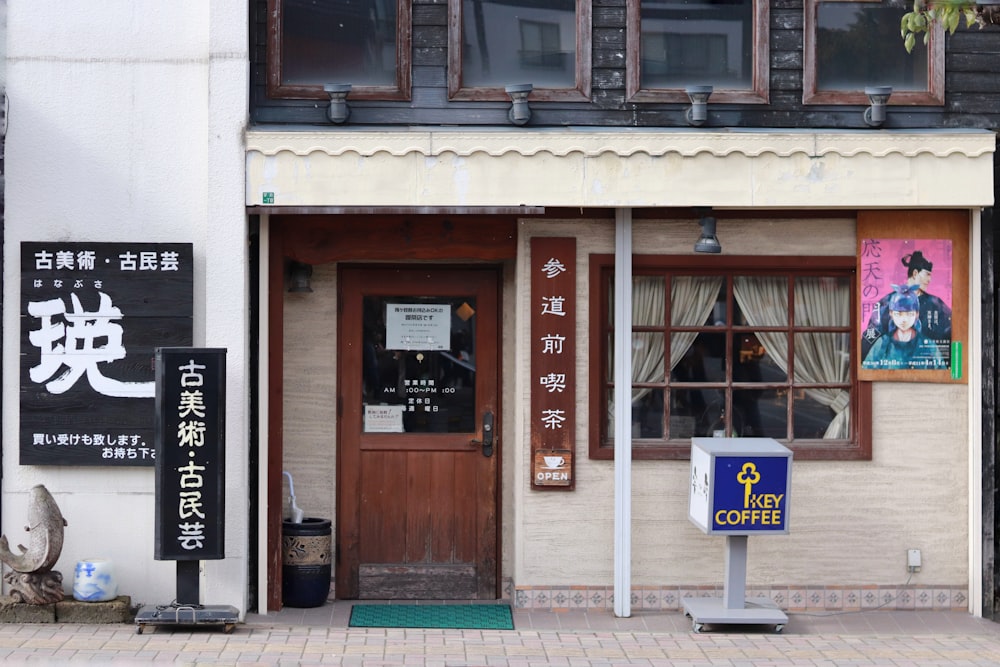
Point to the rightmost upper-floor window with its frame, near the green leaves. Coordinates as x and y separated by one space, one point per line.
850 45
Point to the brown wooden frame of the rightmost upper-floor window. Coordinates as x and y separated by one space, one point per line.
934 95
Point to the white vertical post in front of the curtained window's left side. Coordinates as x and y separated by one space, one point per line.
623 412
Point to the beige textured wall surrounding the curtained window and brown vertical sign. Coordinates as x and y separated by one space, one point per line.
850 522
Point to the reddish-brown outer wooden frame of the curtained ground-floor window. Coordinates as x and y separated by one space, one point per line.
601 326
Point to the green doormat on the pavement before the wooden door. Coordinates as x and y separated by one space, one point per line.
469 616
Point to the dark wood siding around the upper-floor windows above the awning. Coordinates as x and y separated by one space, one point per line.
972 84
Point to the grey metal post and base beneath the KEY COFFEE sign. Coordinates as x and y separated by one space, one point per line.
734 607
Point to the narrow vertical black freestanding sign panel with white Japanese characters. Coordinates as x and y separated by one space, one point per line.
190 453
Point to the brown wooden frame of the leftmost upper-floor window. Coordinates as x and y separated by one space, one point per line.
400 91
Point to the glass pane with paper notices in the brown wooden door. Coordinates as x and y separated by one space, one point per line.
419 364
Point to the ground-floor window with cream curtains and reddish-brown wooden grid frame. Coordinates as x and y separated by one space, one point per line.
733 347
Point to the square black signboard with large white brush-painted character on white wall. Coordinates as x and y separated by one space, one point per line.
92 315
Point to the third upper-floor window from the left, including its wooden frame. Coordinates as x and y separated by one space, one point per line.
673 44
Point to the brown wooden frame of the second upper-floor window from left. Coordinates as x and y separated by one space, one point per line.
579 93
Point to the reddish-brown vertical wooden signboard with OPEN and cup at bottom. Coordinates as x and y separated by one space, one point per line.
553 362
